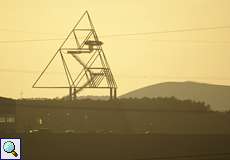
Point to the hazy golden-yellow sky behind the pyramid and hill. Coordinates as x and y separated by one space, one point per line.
136 61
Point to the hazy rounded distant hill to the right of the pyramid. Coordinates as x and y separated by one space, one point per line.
218 96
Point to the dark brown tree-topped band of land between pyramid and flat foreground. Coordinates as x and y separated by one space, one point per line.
139 116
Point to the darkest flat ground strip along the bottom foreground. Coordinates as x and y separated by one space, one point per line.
121 147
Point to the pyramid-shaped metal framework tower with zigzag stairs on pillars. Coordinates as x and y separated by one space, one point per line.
84 41
